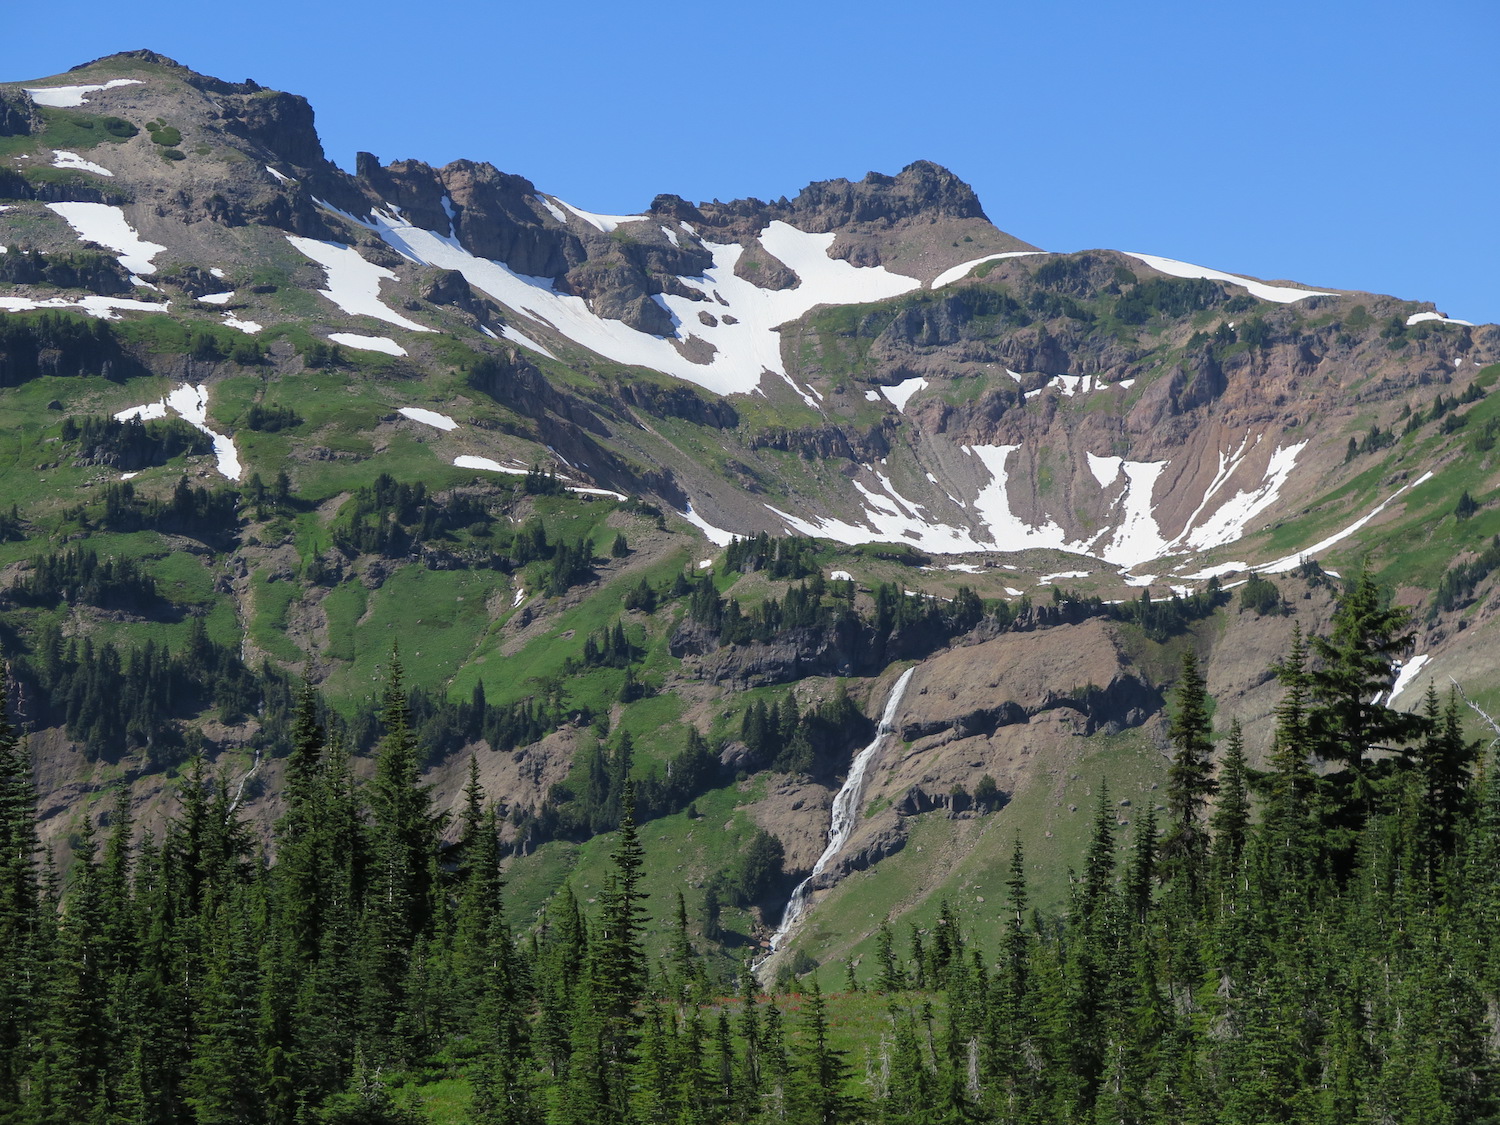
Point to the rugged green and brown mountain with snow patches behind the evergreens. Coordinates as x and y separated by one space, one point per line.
268 418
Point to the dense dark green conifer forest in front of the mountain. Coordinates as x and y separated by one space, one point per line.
1318 941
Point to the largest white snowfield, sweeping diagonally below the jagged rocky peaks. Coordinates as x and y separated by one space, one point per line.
745 350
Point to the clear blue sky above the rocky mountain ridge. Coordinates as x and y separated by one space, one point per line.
1346 145
